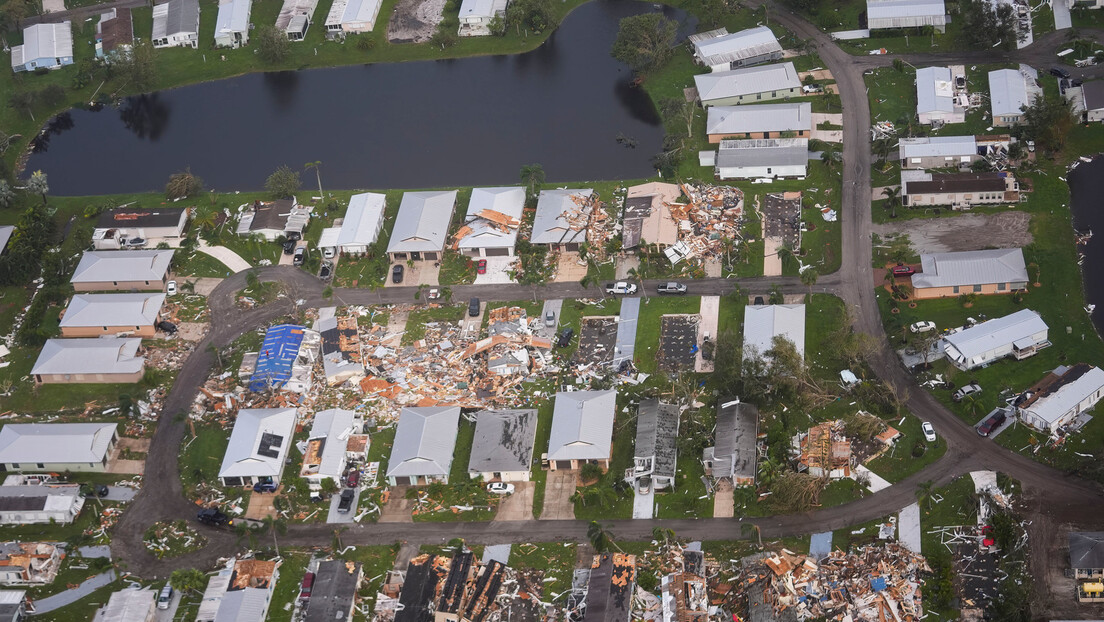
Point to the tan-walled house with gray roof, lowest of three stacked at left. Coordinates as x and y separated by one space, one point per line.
91 361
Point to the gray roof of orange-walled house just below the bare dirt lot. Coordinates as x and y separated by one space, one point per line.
972 268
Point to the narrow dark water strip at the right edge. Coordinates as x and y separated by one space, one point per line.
1087 197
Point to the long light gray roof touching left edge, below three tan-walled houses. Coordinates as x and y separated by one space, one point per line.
56 444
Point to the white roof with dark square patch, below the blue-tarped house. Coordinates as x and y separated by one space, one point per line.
259 444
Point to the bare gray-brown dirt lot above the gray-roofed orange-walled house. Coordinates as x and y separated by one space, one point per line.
967 233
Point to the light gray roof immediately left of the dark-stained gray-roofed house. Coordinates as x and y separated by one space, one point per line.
424 441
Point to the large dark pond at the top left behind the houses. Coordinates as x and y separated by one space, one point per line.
402 125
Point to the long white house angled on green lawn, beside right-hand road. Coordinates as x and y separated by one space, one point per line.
1018 335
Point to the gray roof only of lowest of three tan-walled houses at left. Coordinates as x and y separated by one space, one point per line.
90 356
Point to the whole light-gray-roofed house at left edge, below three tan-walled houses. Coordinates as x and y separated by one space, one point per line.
57 448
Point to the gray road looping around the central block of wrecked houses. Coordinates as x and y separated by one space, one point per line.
1049 491
